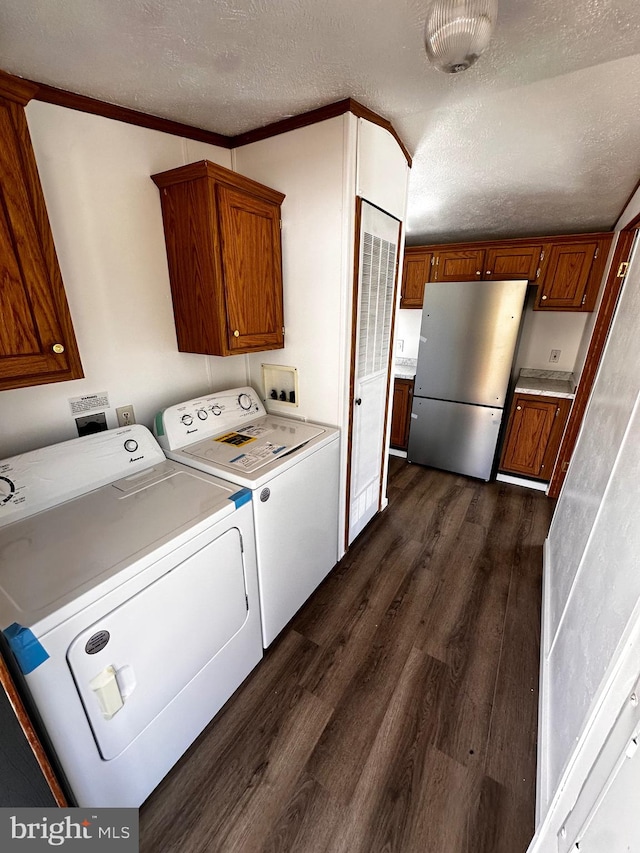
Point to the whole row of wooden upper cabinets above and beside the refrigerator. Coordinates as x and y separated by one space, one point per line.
567 270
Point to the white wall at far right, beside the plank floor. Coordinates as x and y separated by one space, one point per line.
591 622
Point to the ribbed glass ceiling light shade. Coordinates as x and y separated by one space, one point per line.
457 31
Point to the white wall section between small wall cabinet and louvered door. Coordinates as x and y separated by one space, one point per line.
315 167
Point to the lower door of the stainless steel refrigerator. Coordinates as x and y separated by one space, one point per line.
454 436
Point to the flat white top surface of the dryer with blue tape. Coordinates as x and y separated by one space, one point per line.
57 561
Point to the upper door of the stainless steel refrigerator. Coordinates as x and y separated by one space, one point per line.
467 340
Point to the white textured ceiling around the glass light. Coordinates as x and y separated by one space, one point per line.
541 136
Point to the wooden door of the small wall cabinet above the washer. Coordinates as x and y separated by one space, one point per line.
252 270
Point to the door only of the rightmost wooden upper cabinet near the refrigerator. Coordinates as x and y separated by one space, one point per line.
565 274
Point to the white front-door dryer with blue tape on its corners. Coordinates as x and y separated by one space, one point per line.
128 604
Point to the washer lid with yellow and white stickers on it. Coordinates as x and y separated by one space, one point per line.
251 446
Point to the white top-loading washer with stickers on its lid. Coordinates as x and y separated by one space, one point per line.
291 467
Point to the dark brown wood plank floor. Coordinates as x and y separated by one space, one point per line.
397 711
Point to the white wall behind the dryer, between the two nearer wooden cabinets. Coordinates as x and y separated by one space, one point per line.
107 227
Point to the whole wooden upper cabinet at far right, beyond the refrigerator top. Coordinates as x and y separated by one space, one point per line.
571 273
